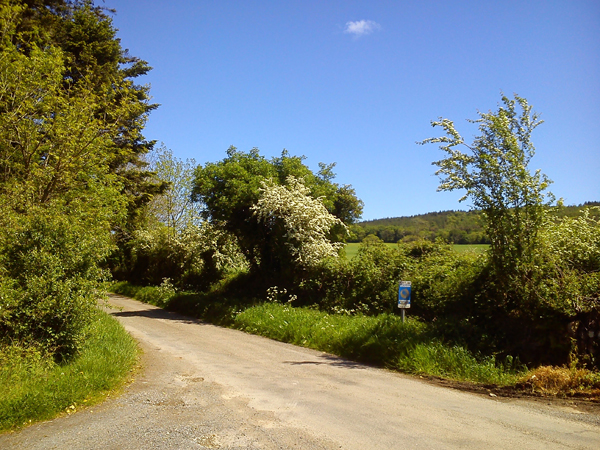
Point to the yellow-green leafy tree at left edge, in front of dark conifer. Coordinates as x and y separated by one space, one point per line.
58 197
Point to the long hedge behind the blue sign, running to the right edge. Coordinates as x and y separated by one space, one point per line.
458 294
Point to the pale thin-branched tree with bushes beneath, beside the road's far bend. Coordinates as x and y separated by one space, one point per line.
174 242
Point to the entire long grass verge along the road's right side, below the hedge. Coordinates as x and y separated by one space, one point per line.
411 347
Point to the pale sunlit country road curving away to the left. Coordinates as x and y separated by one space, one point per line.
203 386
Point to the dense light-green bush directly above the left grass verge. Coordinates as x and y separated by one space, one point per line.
49 278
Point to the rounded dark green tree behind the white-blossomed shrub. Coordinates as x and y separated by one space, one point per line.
228 189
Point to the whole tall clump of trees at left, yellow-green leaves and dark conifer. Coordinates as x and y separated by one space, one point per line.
70 122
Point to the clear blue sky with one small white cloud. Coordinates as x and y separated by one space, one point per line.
359 82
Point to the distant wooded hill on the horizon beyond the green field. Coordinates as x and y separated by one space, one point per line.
457 227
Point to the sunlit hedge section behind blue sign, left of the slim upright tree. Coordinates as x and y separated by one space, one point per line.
368 283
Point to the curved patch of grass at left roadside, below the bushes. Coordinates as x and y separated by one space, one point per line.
35 388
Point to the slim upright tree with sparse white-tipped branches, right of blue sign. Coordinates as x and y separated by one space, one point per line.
494 172
